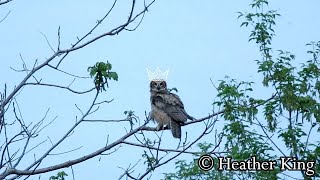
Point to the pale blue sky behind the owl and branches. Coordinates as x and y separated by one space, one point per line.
196 40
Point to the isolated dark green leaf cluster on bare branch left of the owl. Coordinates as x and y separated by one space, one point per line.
101 73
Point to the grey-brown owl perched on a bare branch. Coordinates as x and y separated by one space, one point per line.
167 108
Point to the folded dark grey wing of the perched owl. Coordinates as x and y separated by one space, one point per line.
172 105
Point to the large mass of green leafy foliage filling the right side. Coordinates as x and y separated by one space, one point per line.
291 114
